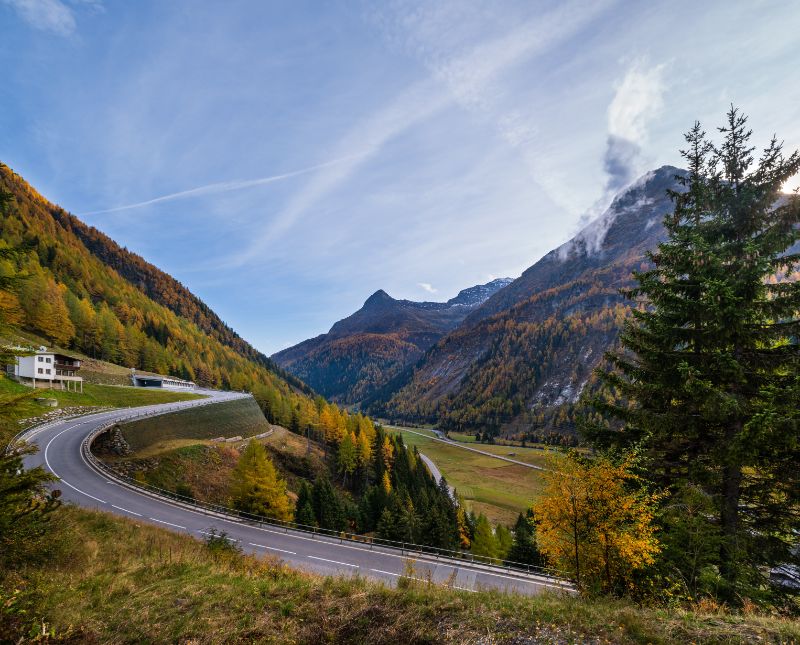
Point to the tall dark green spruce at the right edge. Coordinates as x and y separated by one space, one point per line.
707 380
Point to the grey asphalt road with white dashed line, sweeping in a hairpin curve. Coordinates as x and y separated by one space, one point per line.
60 453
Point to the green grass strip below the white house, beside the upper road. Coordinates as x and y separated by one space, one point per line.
27 410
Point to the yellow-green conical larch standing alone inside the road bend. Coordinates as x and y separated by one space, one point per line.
256 487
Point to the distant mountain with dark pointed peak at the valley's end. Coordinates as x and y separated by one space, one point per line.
364 351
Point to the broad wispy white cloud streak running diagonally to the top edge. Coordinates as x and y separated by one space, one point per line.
464 76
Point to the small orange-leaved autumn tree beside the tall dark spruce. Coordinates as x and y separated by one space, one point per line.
595 522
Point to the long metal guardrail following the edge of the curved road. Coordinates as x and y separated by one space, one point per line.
406 548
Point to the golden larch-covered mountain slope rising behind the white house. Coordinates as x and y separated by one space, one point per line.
83 291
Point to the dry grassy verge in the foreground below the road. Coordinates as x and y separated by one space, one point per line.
112 580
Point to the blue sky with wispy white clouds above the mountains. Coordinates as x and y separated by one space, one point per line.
284 160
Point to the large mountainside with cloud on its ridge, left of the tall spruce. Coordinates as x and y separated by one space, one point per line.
519 363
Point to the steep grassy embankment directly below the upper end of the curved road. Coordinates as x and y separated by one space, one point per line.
241 417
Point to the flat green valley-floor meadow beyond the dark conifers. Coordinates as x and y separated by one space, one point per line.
491 486
